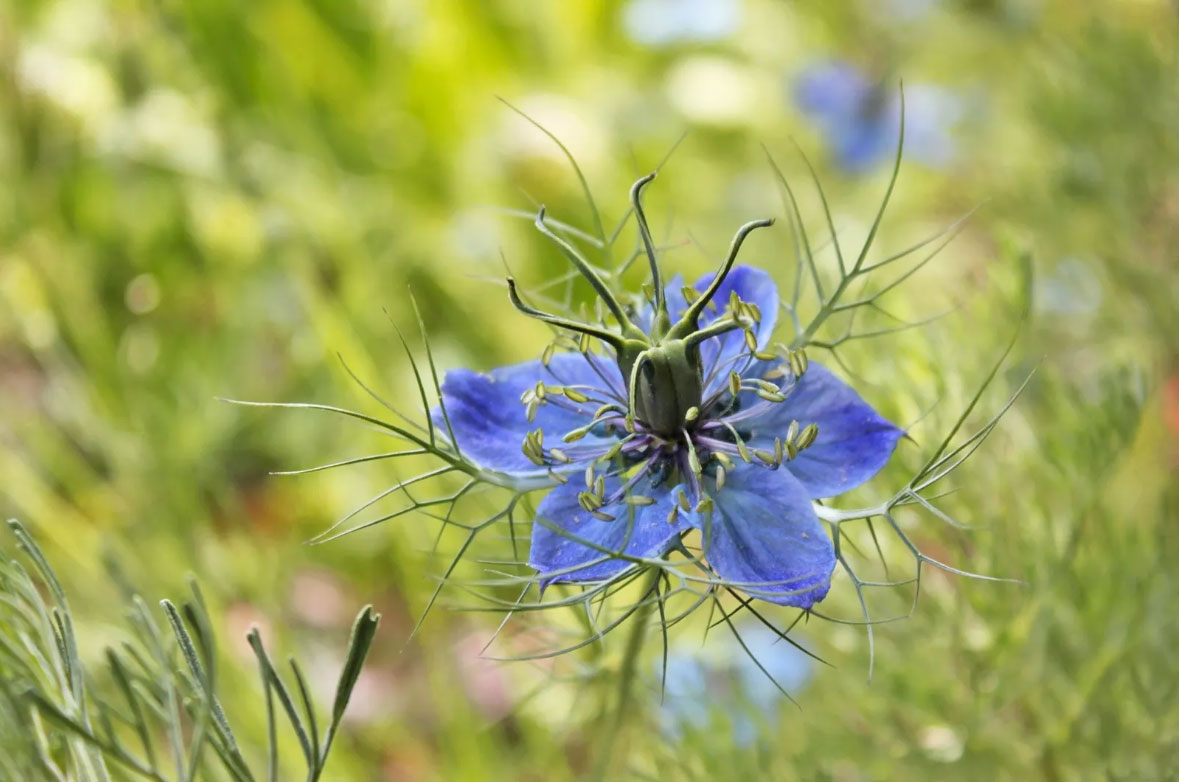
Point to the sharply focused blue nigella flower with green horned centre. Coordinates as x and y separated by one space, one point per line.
688 420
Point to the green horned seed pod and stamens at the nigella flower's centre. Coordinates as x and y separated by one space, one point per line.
661 426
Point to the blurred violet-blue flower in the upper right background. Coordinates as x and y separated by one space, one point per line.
861 117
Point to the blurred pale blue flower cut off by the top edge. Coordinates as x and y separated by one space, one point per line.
663 23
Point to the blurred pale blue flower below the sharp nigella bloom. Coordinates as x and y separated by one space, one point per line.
723 680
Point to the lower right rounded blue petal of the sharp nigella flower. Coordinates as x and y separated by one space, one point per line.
766 538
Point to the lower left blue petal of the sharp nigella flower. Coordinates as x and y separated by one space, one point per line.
637 531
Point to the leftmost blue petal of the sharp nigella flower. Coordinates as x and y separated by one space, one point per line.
491 423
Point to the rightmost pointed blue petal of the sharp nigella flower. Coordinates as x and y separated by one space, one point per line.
854 442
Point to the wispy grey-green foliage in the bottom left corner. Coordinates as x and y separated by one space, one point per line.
155 713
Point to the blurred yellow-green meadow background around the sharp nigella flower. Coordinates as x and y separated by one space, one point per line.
210 199
